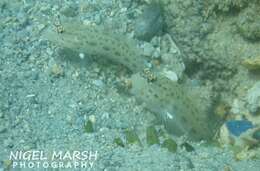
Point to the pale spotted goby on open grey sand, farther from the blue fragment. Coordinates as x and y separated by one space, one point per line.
96 41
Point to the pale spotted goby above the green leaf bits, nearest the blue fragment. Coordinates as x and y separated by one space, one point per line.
180 111
